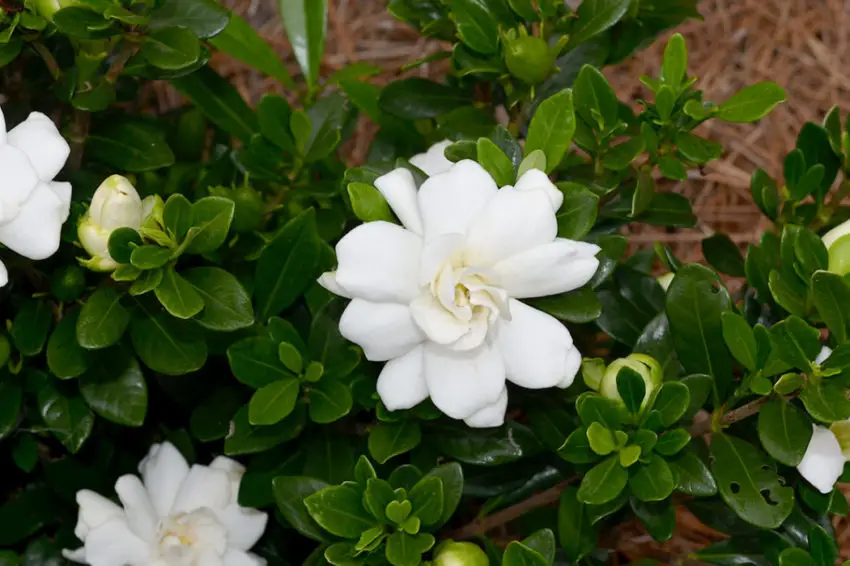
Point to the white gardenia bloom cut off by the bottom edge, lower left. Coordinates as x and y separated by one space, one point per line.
174 516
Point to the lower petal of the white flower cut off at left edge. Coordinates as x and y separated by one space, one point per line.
35 231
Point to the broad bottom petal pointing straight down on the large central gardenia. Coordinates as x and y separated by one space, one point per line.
463 383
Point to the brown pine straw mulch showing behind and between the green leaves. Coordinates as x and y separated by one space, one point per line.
800 44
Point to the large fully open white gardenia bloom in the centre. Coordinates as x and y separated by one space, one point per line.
439 298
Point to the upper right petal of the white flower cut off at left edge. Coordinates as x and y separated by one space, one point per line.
40 140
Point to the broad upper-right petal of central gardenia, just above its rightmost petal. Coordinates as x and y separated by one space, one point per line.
510 223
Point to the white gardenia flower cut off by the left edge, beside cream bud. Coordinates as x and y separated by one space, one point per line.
33 206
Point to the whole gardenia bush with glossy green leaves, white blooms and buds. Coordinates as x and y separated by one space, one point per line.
226 346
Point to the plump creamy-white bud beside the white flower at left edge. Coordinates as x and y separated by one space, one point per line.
115 204
